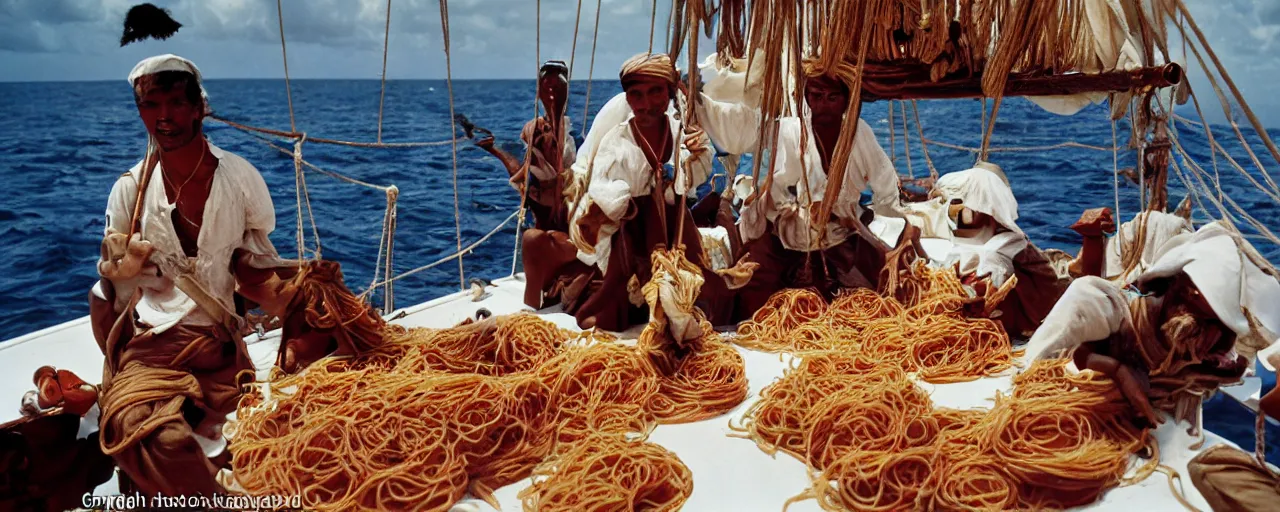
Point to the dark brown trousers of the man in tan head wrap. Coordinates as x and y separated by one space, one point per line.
607 305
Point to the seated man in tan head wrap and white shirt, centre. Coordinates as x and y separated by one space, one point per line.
632 204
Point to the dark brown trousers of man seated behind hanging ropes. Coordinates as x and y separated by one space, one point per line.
856 263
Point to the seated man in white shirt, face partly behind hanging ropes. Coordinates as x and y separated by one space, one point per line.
776 228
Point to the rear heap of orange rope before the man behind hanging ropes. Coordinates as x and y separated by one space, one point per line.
924 330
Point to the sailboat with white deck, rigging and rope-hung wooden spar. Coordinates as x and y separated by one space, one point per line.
909 51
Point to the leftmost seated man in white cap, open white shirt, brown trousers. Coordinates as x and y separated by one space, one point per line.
186 230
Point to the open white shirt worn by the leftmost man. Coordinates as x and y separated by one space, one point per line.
239 214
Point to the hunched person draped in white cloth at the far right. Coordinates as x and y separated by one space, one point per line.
1188 324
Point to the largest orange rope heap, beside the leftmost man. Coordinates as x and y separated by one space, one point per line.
433 415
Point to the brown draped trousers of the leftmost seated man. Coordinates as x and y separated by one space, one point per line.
157 388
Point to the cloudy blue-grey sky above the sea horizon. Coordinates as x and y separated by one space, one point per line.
79 40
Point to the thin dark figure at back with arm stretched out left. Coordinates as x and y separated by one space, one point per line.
550 258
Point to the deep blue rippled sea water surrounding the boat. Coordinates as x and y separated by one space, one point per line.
62 147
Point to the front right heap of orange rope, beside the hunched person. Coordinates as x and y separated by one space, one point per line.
879 444
